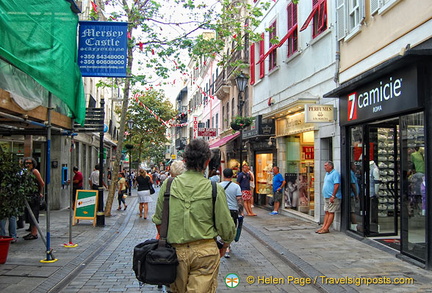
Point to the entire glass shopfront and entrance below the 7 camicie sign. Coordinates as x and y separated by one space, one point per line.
388 183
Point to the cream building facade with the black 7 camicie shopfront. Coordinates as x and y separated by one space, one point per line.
384 111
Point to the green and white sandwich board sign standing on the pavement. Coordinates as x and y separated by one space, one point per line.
85 205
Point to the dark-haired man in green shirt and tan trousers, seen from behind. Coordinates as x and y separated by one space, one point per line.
192 228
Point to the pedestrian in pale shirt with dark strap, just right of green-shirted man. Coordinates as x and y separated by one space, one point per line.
234 199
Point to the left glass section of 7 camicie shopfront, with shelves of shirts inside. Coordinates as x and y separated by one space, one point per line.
374 182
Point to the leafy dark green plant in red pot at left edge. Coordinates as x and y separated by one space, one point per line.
15 186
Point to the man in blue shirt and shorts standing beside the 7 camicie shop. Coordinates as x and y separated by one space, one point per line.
332 196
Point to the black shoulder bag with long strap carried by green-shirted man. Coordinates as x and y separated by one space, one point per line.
155 261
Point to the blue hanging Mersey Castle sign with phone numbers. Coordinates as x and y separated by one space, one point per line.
102 49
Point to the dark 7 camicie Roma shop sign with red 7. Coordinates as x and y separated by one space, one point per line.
389 95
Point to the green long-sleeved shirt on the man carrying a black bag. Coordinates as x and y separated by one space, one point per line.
191 210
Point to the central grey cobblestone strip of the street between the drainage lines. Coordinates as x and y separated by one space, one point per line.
111 270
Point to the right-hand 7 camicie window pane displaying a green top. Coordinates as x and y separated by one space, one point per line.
414 185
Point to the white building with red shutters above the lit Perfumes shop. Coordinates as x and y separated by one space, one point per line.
292 66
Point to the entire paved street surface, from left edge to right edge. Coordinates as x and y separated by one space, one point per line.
275 254
